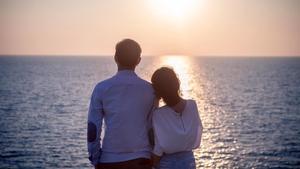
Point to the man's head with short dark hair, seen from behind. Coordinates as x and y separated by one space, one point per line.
128 54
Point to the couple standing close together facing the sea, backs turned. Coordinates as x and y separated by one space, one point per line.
128 105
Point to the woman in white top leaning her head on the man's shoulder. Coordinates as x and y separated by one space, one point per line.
177 125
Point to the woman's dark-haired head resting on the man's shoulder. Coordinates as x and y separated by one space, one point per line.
166 85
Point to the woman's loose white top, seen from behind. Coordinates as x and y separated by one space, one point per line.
176 132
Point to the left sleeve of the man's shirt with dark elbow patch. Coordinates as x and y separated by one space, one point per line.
94 126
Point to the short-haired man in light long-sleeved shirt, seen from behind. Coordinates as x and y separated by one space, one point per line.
124 102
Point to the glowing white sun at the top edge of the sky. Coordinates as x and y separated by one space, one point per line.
173 9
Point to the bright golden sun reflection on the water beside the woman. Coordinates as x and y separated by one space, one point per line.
192 82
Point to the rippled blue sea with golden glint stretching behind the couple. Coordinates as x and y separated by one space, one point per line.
250 109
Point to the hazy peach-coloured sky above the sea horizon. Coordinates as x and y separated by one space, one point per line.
203 27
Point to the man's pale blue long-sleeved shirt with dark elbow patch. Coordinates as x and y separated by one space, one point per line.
125 102
